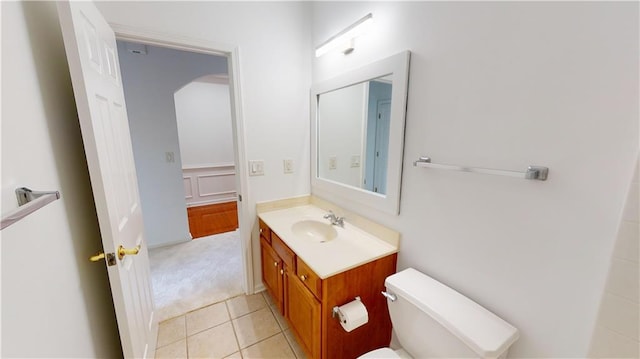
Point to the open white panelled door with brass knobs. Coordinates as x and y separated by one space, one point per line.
95 73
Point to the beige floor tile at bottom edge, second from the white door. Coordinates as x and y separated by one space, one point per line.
216 342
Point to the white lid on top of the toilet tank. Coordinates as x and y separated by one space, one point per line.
482 331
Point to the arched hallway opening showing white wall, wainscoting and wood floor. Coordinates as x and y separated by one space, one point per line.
203 117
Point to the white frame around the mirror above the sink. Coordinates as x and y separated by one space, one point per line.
355 198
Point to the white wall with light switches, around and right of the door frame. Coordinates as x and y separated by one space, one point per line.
273 43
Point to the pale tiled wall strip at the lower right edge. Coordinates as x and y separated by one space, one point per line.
617 333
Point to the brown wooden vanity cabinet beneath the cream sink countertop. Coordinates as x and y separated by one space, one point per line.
307 301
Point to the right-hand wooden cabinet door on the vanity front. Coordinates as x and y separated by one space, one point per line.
303 311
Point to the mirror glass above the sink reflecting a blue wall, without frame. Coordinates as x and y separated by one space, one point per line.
353 134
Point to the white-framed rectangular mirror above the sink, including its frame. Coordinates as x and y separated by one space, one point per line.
357 135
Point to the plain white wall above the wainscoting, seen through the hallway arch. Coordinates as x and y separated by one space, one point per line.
203 115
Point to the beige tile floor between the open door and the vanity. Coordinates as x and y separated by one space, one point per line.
240 327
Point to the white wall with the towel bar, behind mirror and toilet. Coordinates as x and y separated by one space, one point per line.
507 85
